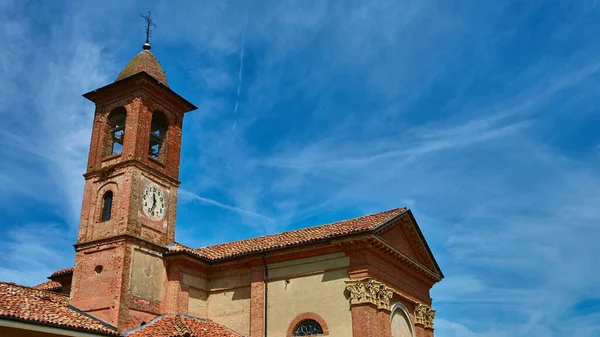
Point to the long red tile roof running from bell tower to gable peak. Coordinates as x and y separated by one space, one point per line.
291 238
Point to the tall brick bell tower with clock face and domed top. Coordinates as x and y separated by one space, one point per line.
130 195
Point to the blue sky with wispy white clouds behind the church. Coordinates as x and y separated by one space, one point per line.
480 116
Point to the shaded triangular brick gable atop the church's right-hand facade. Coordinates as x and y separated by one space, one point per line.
404 235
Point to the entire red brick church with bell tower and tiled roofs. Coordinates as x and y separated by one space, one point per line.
363 277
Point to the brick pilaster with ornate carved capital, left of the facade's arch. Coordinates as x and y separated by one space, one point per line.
370 306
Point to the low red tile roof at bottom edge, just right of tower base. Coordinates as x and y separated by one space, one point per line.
181 325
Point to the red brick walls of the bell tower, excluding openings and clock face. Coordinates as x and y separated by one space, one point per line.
110 244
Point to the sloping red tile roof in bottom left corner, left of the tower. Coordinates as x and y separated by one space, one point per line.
46 308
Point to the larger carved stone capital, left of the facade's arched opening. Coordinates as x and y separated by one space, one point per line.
367 290
